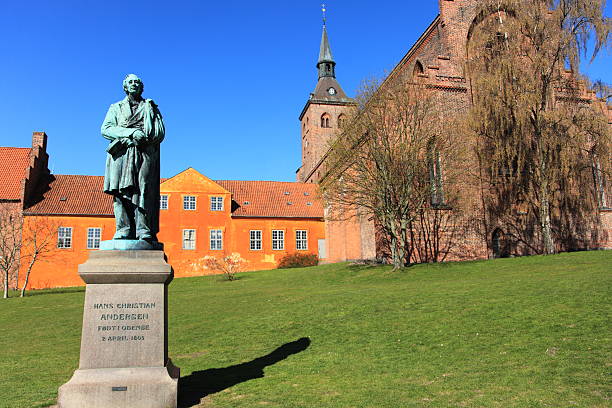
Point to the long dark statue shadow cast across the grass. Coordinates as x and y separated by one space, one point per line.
199 384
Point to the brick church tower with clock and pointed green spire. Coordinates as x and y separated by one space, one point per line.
323 115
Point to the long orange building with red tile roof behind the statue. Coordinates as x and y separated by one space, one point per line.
260 220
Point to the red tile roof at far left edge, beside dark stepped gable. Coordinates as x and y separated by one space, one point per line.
14 164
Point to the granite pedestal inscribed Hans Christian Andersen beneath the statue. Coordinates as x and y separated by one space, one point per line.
124 345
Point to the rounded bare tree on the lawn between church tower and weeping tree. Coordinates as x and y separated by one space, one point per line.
381 162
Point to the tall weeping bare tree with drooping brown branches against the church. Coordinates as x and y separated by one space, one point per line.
538 131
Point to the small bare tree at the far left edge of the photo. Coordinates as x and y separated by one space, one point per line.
10 245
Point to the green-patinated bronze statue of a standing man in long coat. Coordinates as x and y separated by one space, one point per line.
135 129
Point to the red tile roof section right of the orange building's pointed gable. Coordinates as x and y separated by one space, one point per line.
274 199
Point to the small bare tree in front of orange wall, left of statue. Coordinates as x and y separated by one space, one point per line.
39 242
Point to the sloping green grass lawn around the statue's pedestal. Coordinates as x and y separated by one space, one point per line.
525 332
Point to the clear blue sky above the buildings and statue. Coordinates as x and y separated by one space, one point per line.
229 77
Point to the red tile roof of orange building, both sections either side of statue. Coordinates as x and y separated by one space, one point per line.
82 195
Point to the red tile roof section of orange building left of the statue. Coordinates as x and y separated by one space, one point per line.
74 195
